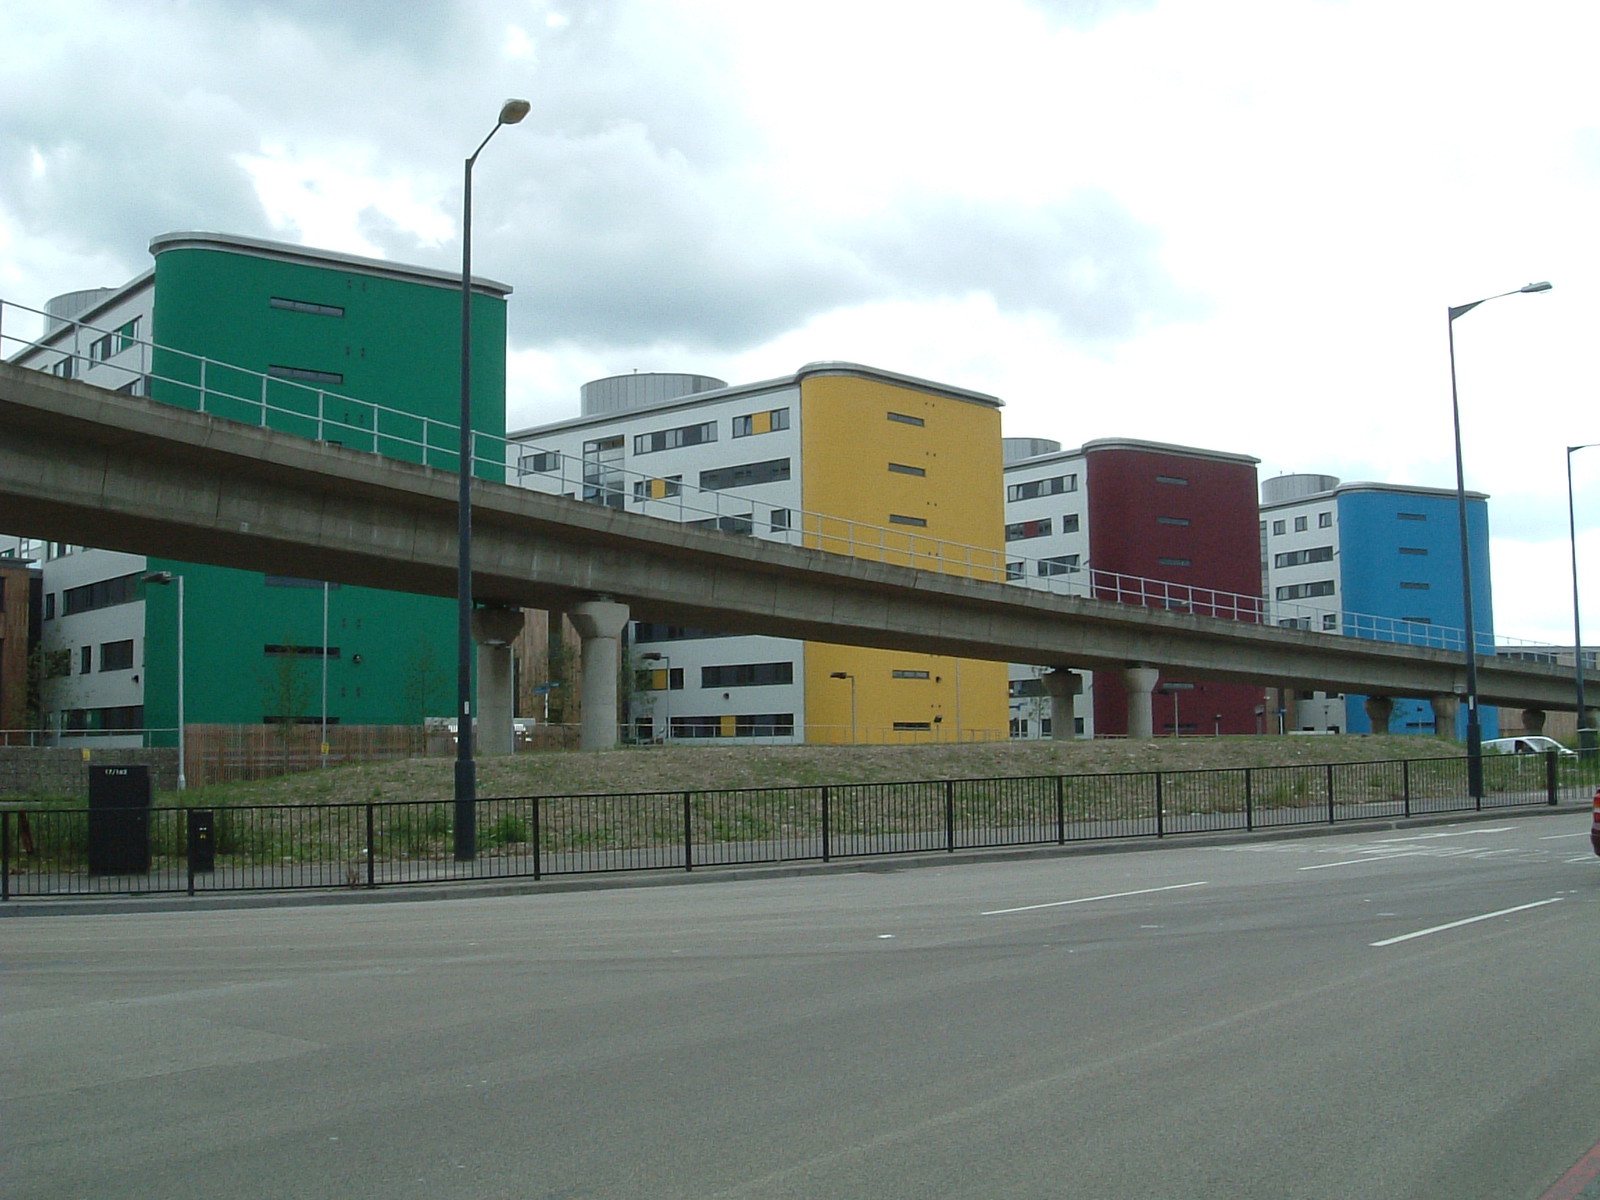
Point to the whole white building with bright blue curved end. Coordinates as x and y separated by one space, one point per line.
1378 561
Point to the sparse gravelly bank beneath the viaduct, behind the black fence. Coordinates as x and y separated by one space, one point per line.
655 769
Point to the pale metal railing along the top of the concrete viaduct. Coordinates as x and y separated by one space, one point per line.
287 406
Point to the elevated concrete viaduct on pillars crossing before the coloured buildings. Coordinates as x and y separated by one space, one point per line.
105 470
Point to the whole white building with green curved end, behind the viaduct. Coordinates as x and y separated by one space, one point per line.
356 351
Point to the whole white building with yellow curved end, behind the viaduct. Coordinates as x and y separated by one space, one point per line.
838 457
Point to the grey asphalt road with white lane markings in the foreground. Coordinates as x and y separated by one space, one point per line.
1396 1015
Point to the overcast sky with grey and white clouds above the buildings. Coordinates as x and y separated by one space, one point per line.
1233 225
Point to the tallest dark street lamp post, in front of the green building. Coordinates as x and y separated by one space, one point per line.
513 111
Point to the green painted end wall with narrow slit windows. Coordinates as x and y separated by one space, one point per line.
396 346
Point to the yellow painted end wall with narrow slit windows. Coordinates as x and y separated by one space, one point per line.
849 444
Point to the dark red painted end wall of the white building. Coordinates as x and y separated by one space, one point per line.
1222 543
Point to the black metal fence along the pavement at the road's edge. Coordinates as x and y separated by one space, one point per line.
52 852
